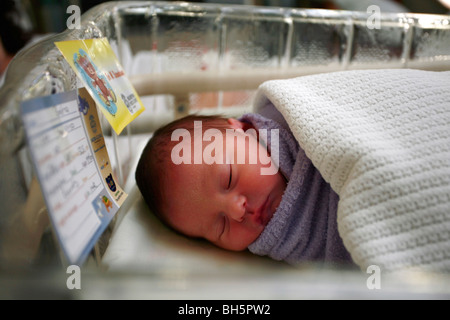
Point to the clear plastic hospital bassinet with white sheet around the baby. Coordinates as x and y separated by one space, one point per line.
185 58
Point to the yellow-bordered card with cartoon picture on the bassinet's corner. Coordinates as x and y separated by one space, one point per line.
98 68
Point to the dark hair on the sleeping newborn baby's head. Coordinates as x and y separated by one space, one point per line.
154 160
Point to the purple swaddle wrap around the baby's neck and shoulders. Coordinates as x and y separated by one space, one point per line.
304 227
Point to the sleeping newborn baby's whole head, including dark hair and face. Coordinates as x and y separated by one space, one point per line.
226 201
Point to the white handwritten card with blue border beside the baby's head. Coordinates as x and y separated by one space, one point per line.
73 168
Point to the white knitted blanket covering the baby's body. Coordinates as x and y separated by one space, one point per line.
381 138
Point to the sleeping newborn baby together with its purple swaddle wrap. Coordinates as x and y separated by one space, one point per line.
227 180
